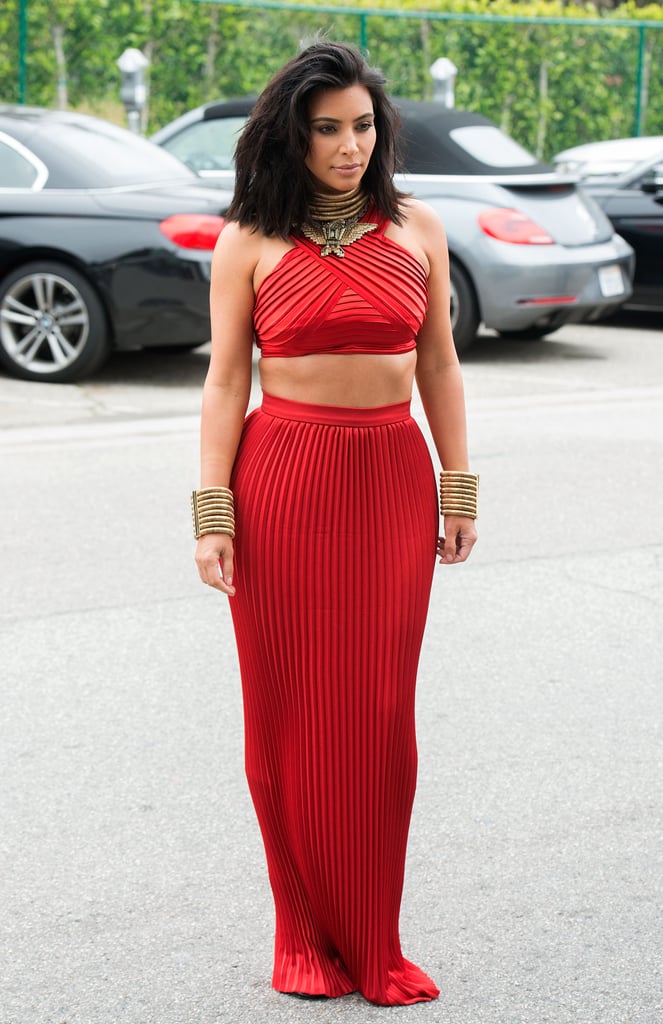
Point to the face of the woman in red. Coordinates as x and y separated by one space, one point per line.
343 138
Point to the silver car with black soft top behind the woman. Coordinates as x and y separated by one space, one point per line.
529 250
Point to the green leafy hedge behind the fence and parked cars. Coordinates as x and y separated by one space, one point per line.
549 86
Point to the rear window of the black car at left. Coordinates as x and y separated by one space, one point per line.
96 155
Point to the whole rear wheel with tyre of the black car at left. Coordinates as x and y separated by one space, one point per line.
53 326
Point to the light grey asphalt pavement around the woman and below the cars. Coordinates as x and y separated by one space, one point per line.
133 881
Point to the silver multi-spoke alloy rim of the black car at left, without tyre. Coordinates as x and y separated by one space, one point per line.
45 323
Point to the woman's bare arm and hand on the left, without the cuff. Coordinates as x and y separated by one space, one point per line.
228 386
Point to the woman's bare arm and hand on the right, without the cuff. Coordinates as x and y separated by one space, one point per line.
439 378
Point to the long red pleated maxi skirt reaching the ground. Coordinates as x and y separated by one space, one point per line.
338 527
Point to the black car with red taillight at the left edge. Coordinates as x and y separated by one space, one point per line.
106 242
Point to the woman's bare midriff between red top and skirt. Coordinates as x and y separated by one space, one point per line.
357 380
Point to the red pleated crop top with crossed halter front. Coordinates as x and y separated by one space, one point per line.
372 301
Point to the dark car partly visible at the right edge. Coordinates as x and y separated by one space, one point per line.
634 203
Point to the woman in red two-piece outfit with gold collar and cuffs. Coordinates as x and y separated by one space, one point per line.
345 283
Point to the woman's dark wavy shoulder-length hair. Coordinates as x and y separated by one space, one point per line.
273 184
